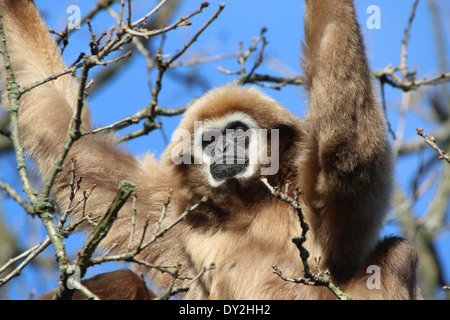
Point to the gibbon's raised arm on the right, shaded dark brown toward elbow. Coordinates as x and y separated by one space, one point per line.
346 169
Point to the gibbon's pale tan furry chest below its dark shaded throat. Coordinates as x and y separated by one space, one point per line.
244 260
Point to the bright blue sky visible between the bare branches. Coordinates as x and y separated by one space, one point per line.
240 22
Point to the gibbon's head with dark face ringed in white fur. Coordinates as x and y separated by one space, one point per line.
232 133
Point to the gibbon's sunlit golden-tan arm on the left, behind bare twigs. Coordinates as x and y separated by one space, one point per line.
44 116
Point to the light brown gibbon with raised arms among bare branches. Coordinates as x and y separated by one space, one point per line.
339 156
